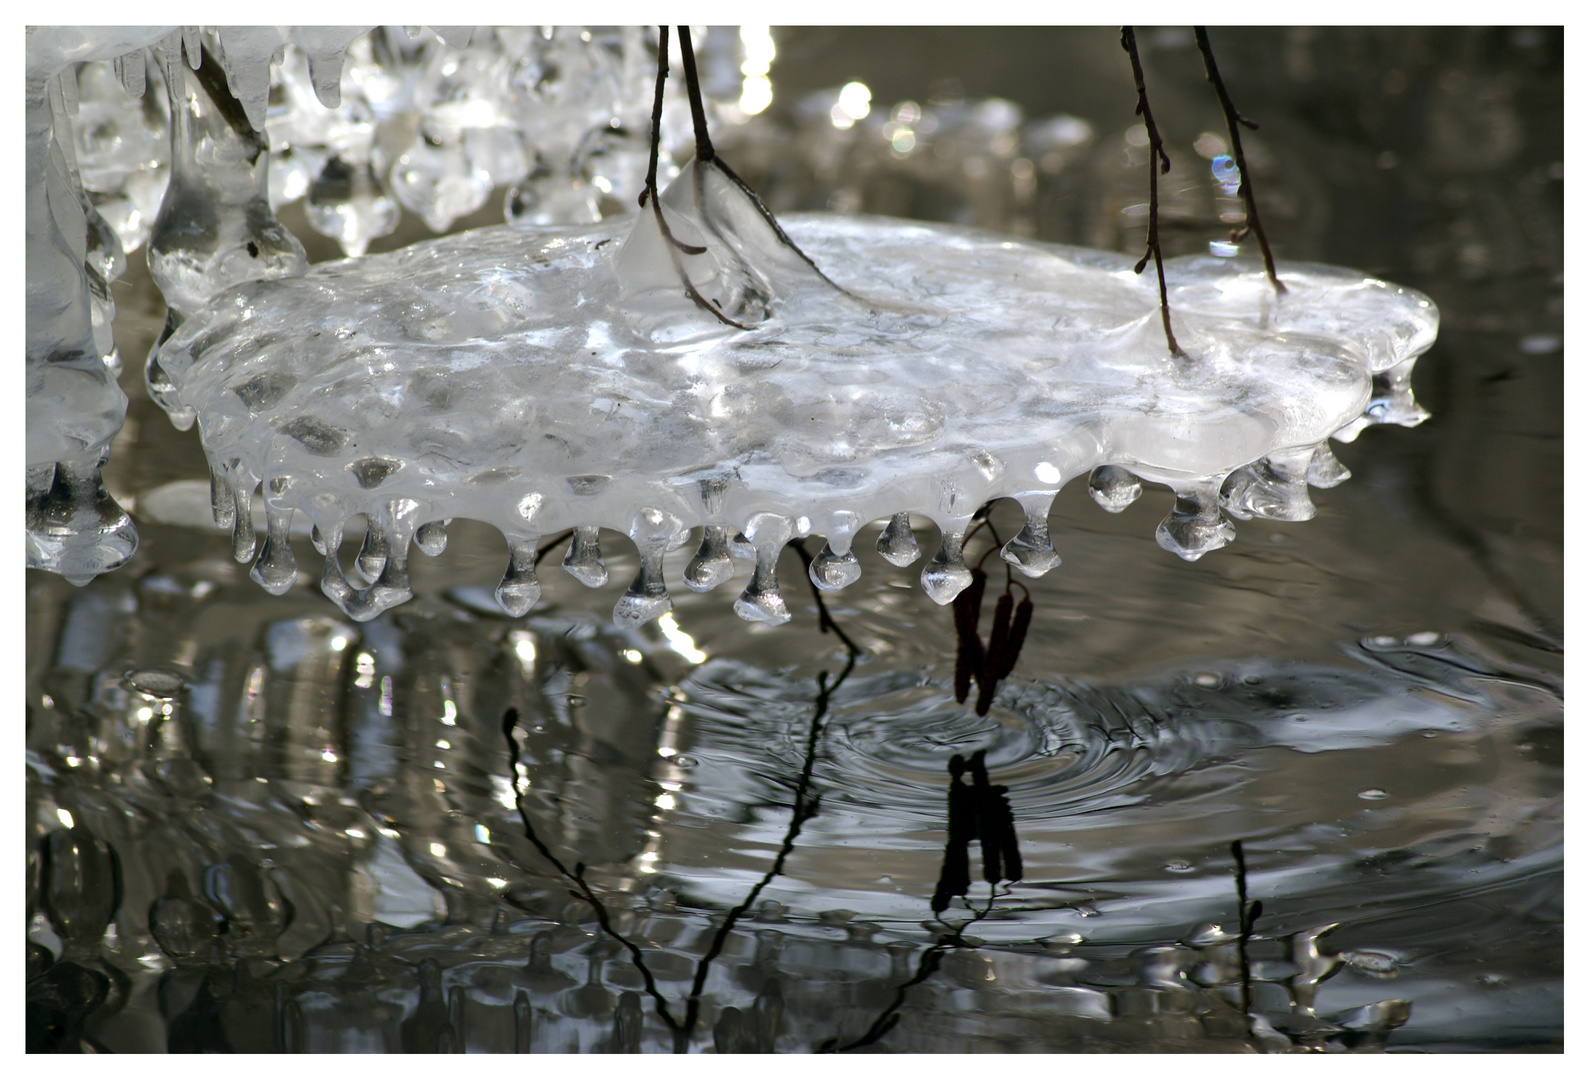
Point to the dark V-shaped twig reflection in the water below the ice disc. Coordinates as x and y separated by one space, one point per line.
804 810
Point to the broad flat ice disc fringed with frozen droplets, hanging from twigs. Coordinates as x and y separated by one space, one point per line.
553 379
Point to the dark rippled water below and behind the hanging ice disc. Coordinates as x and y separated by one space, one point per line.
260 826
